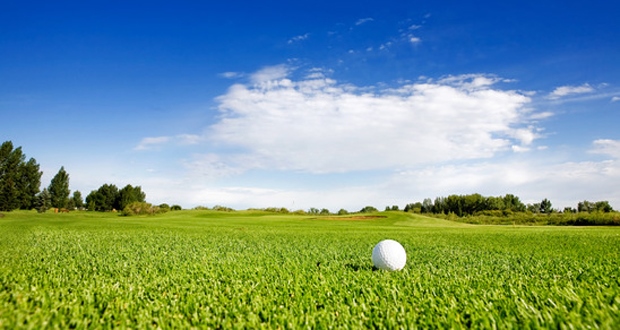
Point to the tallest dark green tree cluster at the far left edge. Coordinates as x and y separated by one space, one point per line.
19 180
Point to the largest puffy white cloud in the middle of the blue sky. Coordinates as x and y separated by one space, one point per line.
322 126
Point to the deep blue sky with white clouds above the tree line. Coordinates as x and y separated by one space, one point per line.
324 104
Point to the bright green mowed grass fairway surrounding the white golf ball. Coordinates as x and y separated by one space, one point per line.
207 269
